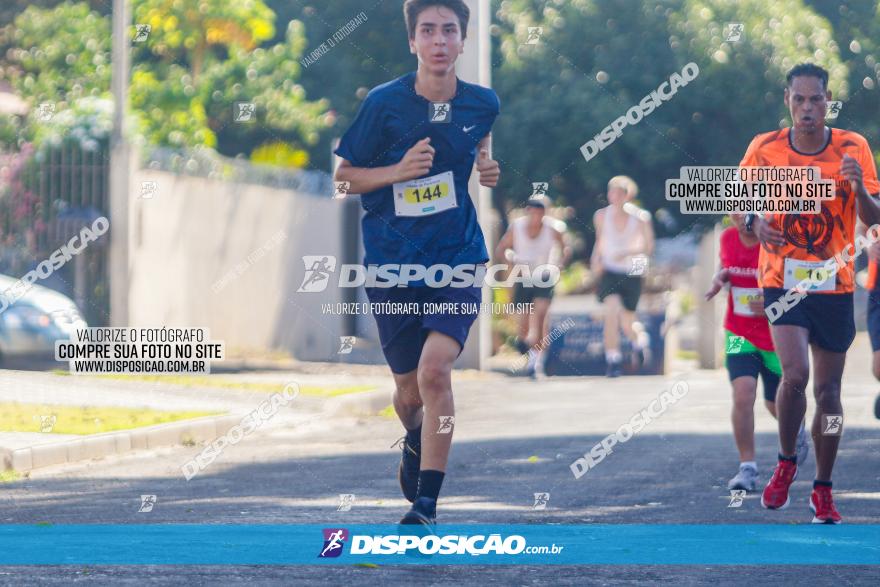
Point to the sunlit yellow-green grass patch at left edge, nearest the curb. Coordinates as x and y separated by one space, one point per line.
57 419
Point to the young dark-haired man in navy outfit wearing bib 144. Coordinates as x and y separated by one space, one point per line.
410 153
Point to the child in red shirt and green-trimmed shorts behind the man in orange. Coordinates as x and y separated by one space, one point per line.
749 347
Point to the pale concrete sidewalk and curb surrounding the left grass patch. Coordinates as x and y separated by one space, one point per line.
25 451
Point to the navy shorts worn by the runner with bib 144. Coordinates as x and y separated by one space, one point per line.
406 315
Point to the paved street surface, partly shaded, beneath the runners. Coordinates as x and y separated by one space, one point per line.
513 438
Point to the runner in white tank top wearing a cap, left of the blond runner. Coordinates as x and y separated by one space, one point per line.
533 239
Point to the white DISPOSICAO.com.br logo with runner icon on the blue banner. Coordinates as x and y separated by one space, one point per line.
430 544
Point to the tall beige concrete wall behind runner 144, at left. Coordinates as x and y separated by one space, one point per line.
196 261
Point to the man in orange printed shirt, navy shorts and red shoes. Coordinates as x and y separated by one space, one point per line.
795 245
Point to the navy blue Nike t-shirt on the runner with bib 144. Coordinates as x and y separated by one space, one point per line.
391 120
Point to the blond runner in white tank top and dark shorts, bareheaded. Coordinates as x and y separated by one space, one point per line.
624 241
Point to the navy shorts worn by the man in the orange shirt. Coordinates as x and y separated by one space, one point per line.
829 318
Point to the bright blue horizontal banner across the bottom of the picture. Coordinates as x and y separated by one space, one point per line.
598 544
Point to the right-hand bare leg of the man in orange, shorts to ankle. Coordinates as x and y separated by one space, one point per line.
828 372
